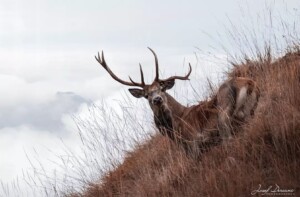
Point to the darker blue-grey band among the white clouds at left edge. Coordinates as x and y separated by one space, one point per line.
42 116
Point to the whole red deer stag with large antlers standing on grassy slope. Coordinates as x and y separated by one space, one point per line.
188 126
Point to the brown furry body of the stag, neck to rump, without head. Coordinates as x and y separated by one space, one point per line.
200 126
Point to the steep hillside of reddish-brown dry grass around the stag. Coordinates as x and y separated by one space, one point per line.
265 151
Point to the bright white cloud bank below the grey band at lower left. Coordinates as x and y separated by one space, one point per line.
16 142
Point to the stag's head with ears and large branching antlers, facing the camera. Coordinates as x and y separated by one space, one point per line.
155 92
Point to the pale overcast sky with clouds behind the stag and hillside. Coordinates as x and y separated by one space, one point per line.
48 72
